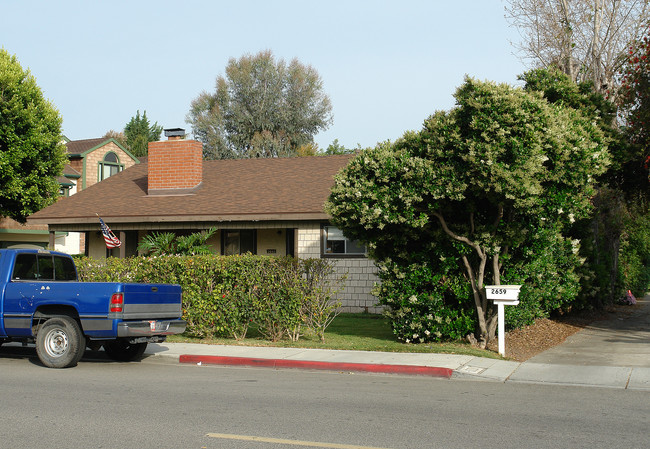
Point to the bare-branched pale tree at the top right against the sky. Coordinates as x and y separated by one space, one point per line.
586 39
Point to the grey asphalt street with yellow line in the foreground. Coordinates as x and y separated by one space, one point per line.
161 403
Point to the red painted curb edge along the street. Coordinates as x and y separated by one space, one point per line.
331 366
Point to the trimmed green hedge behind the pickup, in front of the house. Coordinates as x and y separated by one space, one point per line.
224 295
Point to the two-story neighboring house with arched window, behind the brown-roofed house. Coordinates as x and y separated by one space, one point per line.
89 161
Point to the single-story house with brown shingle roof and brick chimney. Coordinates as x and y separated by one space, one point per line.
262 206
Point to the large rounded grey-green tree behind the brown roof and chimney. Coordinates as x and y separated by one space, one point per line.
262 107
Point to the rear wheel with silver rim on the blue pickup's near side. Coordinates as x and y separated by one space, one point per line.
60 343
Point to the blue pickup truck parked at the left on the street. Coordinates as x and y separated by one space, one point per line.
41 301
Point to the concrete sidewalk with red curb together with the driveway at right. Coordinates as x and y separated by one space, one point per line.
612 353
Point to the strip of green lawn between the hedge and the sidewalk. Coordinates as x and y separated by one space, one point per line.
361 332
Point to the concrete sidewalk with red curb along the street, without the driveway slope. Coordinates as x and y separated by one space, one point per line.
435 365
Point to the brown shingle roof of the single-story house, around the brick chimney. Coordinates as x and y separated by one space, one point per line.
232 190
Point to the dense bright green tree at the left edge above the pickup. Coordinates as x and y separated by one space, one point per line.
31 150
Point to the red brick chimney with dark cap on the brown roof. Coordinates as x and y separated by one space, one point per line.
175 165
